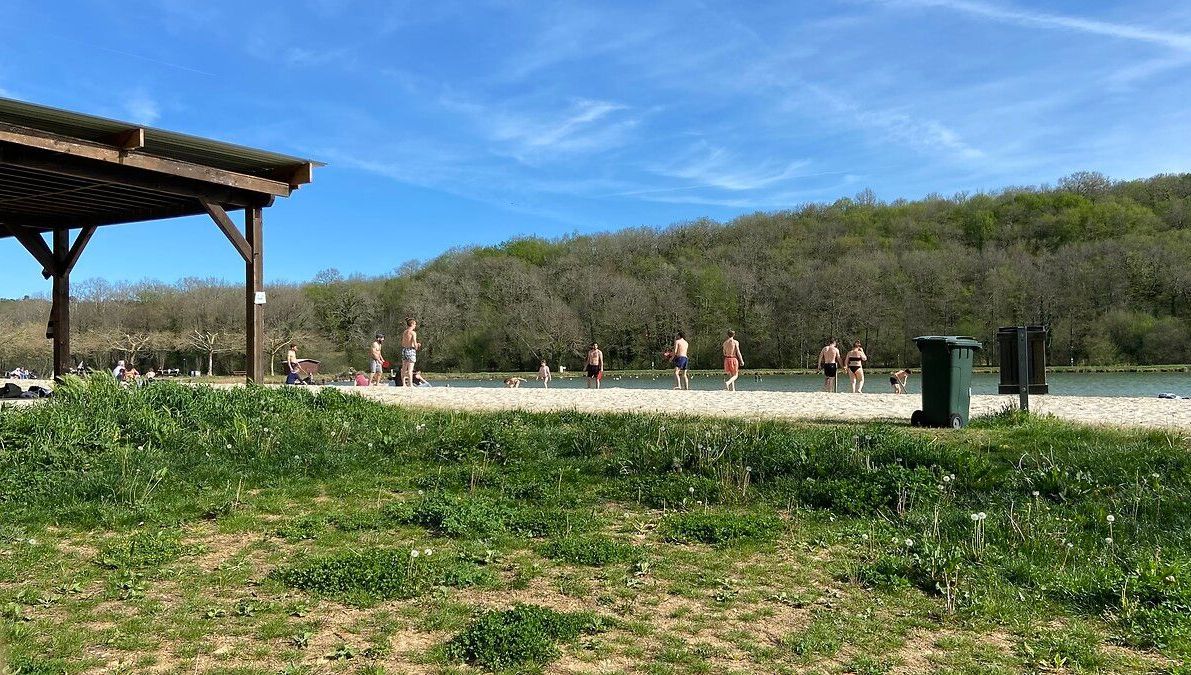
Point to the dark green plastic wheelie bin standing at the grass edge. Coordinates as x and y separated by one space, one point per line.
946 380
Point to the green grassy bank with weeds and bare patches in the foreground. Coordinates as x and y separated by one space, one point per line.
258 530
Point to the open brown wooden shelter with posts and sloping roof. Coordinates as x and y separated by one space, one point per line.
63 171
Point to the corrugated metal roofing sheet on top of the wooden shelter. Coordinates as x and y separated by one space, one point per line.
158 142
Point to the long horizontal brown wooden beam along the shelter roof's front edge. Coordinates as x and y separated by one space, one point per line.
99 153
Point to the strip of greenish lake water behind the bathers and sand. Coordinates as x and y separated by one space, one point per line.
1146 385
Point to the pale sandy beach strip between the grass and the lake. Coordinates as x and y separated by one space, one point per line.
777 405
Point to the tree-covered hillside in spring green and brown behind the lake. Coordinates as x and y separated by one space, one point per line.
1106 265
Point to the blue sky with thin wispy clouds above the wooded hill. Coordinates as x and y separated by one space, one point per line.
447 124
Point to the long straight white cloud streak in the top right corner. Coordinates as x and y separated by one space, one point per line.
1171 40
